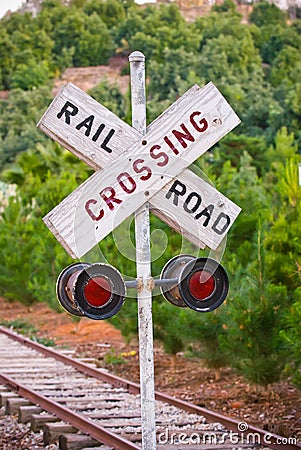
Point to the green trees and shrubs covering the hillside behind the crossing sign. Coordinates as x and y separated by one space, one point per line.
257 67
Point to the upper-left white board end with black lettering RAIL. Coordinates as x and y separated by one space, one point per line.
77 131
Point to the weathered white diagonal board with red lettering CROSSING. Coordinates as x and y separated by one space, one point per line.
185 131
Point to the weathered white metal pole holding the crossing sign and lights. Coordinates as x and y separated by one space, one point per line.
143 264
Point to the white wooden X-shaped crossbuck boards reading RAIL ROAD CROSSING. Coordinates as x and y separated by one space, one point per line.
136 169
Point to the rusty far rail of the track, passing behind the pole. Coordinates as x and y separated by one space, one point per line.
134 388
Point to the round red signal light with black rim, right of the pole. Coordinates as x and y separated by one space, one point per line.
202 283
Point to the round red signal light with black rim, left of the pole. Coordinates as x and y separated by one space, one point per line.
96 291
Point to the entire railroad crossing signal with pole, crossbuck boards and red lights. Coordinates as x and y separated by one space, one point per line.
139 169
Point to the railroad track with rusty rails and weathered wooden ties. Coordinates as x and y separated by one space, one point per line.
79 406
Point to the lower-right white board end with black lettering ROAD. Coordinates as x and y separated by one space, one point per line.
197 209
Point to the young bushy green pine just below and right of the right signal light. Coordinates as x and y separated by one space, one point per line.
255 317
